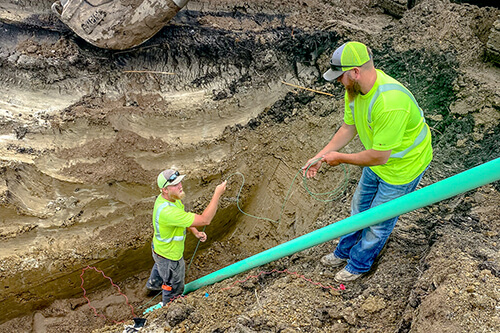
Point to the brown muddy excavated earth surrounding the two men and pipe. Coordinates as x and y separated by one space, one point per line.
85 131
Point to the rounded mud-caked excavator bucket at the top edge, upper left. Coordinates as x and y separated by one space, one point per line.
116 24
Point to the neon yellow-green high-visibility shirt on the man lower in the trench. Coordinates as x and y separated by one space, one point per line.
170 222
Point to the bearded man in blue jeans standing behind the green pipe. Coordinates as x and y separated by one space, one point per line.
398 150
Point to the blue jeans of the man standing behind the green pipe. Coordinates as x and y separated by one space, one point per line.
362 247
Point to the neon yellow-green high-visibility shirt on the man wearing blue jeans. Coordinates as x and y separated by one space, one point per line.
395 123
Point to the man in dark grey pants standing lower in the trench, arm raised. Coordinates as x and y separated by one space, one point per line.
170 222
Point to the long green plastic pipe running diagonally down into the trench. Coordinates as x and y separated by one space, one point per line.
444 189
